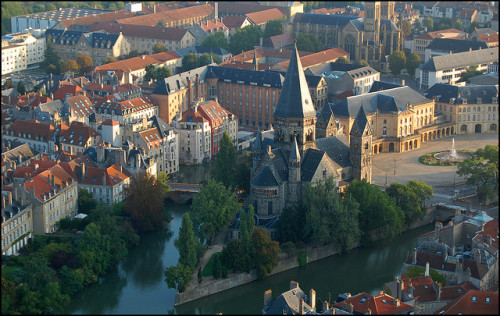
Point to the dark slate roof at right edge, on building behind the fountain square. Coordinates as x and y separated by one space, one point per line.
471 93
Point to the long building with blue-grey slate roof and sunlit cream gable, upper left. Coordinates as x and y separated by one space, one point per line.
98 45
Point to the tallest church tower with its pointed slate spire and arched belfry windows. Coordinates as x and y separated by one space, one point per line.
294 116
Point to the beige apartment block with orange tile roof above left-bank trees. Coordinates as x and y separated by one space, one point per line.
53 195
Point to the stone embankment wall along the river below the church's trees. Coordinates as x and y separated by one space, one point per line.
210 286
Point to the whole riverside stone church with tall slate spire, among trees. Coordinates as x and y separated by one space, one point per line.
279 174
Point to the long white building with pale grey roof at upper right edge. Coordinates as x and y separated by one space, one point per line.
449 68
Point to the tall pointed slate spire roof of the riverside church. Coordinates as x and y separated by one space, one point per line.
295 99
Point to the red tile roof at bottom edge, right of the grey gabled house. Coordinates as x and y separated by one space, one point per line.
380 304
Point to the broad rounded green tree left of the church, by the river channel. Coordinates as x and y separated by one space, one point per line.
212 209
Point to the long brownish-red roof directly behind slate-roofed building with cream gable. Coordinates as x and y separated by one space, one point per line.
142 31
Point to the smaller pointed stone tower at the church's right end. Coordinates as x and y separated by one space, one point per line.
361 147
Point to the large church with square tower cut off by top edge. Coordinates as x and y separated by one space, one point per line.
372 37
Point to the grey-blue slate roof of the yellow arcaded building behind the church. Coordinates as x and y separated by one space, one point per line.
388 101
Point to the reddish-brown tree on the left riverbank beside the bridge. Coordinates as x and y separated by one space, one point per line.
144 201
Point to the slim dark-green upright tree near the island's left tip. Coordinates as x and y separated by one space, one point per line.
187 243
